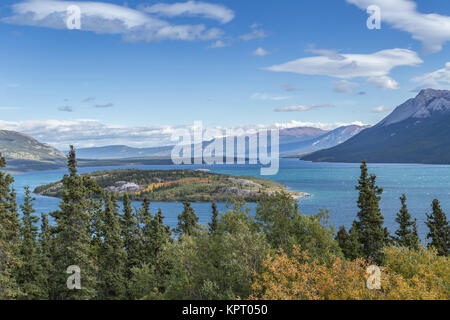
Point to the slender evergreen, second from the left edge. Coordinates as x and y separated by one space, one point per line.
30 273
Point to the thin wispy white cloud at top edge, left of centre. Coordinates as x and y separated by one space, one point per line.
193 8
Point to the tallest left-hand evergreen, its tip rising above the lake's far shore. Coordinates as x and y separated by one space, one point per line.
73 234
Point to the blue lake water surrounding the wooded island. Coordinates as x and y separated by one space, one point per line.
332 186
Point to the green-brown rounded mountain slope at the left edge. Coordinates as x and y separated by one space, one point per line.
18 146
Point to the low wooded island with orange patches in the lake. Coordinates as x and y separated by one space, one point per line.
178 186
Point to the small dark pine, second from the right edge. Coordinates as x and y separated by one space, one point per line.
406 235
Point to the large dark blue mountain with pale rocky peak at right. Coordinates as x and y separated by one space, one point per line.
418 131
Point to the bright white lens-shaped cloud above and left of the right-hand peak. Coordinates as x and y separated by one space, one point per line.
374 67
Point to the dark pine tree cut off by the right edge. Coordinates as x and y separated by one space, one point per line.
439 230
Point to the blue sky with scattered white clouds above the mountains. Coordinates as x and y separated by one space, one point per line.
134 71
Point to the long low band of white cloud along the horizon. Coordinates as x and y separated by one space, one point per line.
89 133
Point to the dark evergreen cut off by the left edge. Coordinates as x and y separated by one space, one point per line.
9 237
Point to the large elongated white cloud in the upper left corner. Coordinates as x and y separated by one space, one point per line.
106 18
